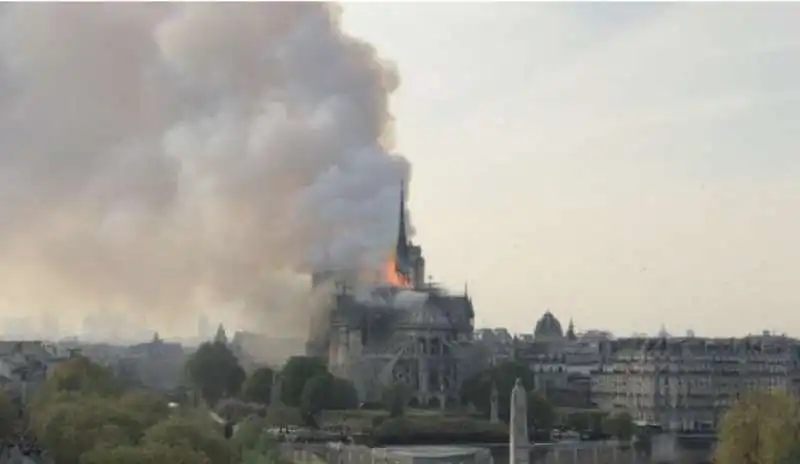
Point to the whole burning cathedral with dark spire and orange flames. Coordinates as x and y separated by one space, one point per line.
401 329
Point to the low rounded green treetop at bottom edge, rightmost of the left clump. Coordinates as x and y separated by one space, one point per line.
192 433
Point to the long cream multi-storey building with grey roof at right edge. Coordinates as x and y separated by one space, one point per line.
686 383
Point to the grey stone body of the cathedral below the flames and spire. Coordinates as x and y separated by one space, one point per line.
420 338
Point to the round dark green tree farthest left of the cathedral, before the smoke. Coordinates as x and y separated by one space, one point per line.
214 370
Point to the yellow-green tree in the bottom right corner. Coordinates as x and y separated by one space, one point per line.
760 428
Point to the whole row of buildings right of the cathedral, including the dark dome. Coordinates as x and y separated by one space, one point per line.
678 383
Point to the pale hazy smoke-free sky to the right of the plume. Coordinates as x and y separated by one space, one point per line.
626 165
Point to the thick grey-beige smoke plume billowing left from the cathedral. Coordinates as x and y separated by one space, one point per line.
162 158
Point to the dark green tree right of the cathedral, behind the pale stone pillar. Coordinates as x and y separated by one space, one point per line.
477 390
